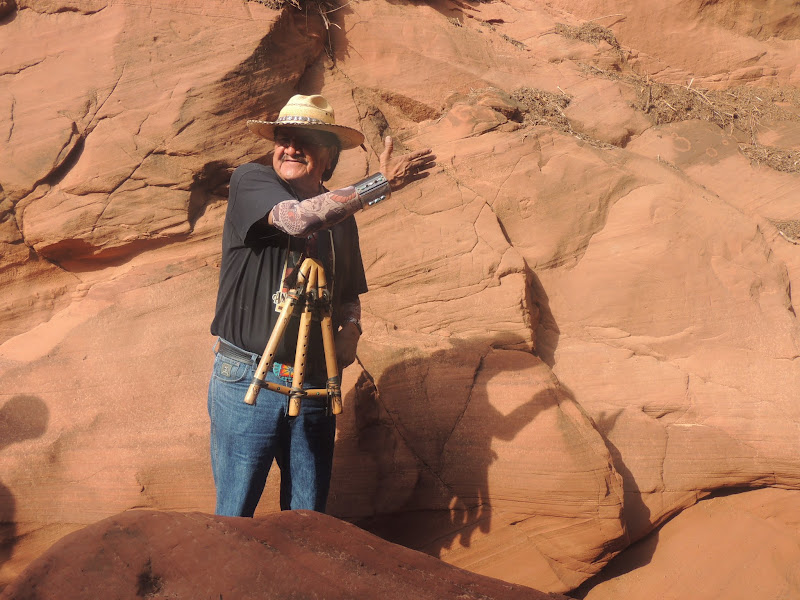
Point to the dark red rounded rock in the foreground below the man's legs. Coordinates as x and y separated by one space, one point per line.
298 554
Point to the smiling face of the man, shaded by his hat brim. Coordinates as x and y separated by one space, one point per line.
301 157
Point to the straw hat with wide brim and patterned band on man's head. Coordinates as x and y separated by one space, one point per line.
308 112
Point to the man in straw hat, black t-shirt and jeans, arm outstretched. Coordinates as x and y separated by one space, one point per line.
276 217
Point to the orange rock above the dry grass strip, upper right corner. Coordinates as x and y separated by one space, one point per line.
681 42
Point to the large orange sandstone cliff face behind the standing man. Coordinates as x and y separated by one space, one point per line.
580 324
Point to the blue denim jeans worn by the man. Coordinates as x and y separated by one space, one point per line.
245 439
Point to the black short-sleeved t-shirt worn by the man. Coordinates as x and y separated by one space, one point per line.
254 258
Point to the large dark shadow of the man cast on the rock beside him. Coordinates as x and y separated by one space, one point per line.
429 424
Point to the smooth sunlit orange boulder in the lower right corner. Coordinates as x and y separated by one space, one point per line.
758 532
